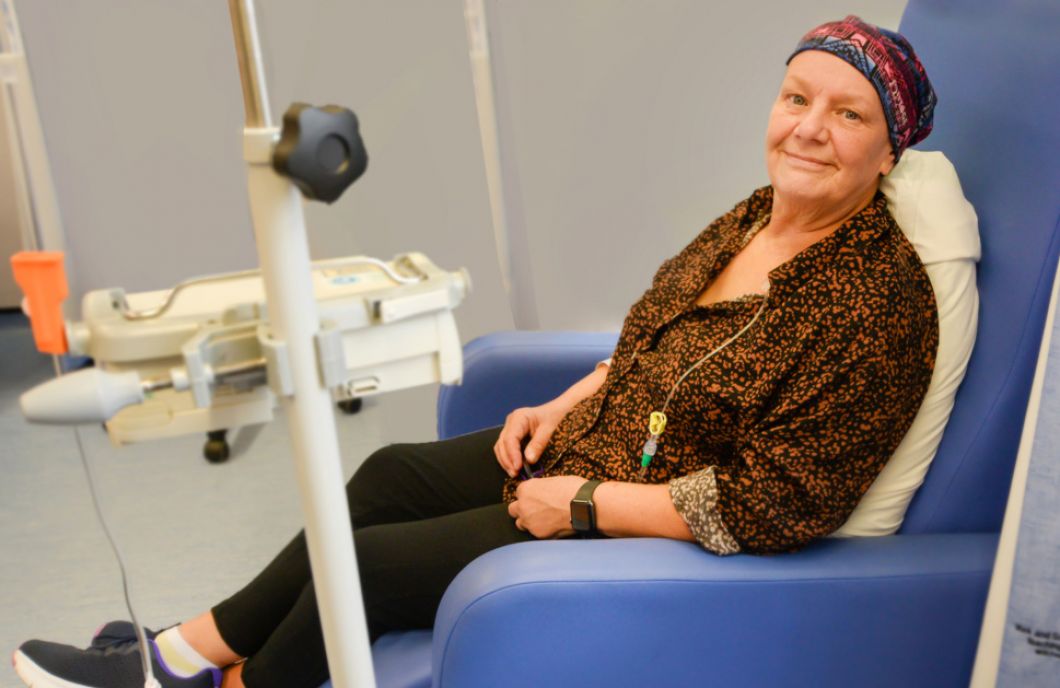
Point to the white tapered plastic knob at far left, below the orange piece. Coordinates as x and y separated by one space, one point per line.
90 396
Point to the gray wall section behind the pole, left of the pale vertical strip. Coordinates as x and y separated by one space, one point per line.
142 109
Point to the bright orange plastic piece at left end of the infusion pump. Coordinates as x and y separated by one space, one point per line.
43 279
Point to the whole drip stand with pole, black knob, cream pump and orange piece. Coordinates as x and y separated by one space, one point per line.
221 351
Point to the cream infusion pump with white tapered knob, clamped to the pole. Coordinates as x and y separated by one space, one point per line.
201 358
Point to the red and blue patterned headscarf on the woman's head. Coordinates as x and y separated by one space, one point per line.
889 63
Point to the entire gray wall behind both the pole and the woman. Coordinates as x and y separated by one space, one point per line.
626 127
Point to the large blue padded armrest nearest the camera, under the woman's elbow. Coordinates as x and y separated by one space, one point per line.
897 611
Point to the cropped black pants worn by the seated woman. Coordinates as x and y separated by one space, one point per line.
421 514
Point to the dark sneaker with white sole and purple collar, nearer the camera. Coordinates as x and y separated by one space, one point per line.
50 665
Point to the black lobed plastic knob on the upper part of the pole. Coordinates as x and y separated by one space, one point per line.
321 151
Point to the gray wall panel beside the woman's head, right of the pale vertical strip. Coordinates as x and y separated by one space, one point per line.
632 126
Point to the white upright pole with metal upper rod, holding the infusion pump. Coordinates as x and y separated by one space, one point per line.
276 207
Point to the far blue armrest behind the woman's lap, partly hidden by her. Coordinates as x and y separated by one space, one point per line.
507 371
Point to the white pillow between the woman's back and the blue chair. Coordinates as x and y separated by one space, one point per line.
926 200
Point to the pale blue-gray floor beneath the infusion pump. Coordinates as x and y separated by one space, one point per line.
191 533
